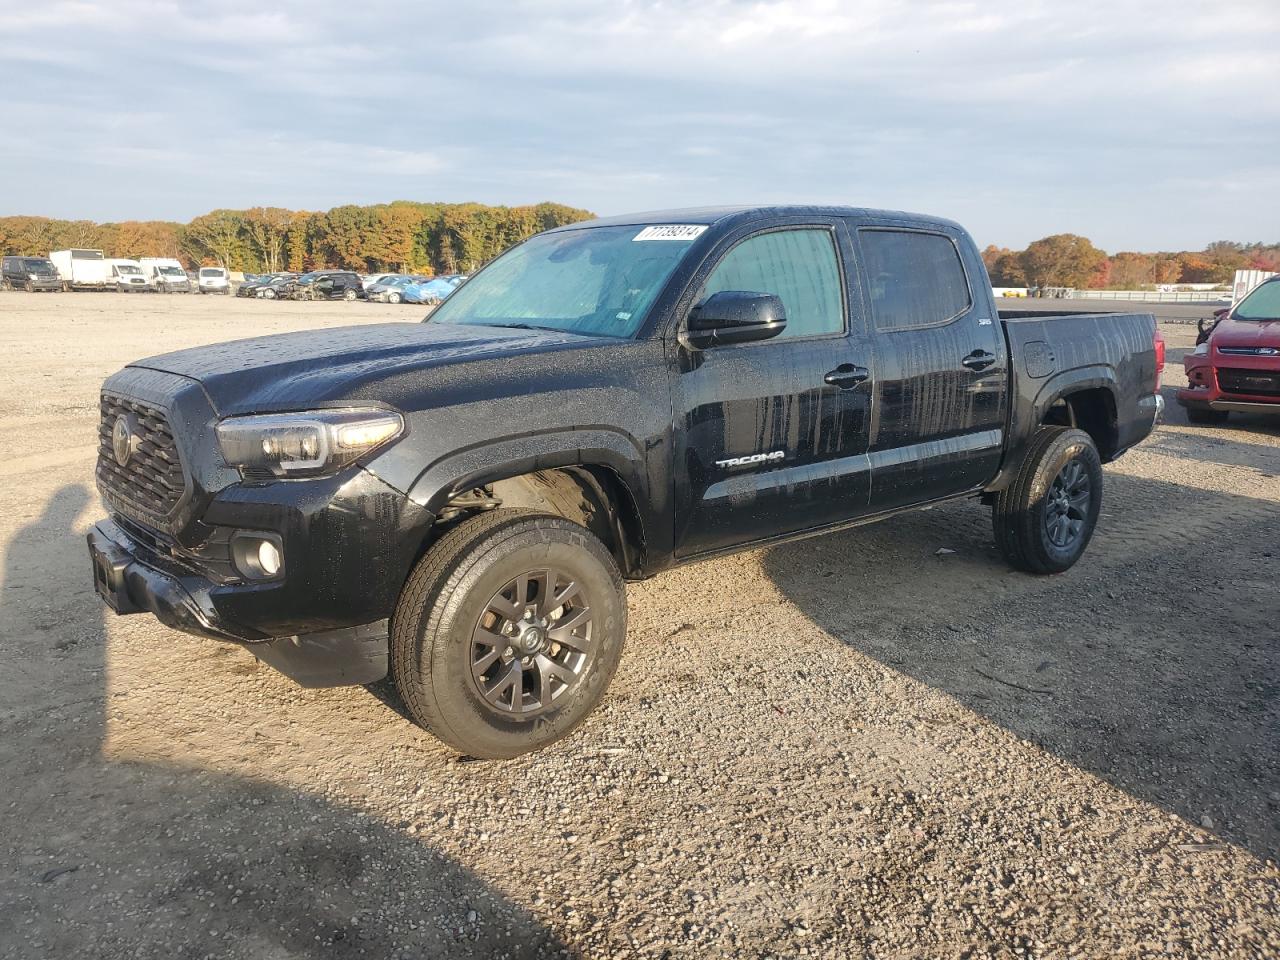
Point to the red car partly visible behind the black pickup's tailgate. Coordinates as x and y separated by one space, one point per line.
1238 367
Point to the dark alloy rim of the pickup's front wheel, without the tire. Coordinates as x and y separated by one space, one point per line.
533 644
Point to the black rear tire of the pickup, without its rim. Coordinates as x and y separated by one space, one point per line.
1020 514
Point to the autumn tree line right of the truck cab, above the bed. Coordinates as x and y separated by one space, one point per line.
1068 260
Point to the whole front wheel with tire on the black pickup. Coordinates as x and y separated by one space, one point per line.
509 633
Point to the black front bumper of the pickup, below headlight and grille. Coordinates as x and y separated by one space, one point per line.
349 543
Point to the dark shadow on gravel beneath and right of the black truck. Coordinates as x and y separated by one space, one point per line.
1164 688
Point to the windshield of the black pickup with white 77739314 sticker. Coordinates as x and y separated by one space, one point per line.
595 281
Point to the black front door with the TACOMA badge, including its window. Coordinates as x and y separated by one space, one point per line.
771 437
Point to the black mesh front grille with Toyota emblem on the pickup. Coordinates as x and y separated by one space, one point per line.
152 479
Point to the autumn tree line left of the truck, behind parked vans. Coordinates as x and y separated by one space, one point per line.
404 236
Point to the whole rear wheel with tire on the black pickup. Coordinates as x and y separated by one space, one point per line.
1045 519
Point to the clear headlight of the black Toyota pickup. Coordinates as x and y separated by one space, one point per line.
305 445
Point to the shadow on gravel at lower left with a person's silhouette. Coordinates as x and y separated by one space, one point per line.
144 861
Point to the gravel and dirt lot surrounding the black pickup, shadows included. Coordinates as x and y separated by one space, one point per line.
852 747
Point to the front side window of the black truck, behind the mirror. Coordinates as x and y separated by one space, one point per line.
798 267
